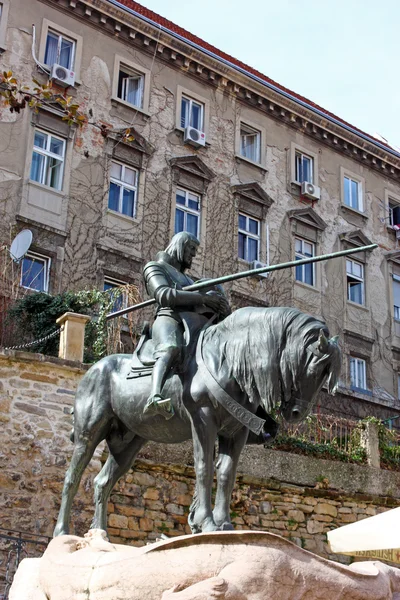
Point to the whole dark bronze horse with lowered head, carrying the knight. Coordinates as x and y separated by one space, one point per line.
254 361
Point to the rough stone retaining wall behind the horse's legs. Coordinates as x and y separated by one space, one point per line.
275 491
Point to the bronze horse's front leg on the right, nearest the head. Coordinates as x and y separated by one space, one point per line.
228 458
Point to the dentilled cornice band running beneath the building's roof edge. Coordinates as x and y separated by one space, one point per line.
137 33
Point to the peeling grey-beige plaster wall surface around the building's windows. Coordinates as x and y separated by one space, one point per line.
91 237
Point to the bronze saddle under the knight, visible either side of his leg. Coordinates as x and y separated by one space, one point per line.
143 360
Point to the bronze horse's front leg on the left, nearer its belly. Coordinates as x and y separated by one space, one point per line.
204 432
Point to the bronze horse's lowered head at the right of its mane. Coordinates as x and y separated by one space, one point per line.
320 362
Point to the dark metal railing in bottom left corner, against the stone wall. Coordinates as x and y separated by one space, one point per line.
14 546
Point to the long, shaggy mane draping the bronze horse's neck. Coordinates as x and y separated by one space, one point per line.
264 348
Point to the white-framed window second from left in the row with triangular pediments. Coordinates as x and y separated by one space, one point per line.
123 189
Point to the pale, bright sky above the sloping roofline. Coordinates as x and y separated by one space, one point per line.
341 54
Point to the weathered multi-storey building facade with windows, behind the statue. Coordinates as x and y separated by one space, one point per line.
258 173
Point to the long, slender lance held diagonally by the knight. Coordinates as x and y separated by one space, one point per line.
206 283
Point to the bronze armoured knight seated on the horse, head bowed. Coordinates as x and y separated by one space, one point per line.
164 279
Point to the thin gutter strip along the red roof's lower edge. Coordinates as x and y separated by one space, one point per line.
258 79
